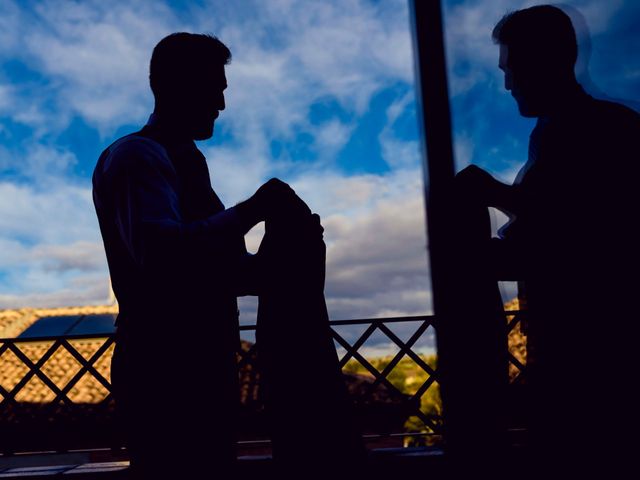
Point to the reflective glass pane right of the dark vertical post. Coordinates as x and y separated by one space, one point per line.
531 128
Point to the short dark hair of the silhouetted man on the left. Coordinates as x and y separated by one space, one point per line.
182 55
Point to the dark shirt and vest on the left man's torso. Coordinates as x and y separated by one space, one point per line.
167 236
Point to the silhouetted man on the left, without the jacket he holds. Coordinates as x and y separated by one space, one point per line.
178 261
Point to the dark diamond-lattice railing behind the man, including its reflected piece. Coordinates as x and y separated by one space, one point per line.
64 372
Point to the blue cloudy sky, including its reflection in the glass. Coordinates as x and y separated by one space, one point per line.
321 94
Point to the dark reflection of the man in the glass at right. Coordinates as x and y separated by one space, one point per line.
571 243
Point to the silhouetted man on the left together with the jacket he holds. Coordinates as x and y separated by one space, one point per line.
178 261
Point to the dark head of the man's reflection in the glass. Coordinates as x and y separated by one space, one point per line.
538 52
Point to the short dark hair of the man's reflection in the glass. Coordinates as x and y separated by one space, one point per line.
543 32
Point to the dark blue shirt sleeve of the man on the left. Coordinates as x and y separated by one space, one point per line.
147 210
